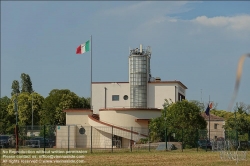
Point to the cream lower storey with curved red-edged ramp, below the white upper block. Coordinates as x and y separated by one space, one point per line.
118 124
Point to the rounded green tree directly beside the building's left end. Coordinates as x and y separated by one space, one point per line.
55 103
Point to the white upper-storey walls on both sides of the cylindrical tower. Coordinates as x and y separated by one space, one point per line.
157 93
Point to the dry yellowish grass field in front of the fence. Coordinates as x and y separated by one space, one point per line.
159 158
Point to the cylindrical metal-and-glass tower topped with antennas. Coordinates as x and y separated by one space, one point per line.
139 75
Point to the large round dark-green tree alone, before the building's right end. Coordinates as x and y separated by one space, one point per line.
183 119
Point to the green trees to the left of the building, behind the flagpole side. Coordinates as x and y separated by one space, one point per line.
48 110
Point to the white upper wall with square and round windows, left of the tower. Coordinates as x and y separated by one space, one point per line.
98 95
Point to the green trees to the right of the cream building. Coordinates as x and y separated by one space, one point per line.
184 120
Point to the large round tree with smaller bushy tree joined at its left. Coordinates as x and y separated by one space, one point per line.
182 118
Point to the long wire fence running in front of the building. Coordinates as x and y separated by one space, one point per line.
111 139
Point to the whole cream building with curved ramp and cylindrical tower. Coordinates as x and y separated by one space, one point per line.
120 111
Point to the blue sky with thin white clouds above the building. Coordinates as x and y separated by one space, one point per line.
197 43
